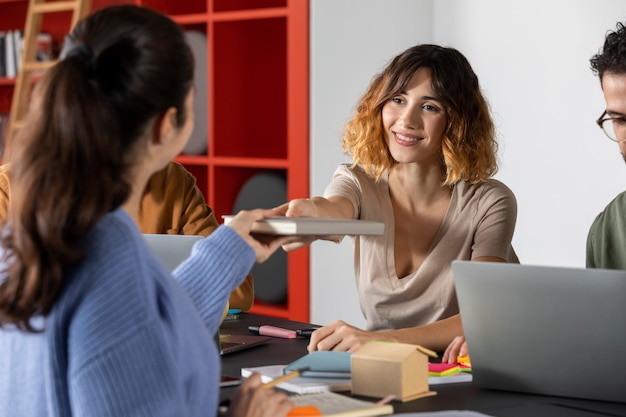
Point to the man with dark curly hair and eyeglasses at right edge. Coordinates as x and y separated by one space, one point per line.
606 242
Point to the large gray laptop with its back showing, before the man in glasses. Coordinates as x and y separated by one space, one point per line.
544 330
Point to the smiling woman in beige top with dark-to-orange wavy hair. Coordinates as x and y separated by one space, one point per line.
423 151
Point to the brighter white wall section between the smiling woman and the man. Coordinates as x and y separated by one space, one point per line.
532 58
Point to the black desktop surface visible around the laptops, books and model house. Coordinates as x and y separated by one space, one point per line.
461 396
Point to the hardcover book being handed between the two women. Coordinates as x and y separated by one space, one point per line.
316 226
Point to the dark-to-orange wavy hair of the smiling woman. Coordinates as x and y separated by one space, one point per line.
469 145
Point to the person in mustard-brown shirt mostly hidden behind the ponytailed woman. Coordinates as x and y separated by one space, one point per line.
171 204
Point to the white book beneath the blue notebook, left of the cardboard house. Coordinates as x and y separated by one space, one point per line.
299 385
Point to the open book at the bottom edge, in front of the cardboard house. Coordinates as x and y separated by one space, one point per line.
333 404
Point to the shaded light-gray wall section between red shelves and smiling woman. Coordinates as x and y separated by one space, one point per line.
351 40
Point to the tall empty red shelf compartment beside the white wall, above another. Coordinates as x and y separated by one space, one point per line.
249 104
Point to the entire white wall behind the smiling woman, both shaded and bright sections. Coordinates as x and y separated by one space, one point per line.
532 58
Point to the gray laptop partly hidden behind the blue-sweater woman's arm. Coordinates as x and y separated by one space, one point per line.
174 249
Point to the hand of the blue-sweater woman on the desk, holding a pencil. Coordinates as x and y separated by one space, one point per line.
252 399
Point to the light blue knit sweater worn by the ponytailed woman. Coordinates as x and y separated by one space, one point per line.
124 338
